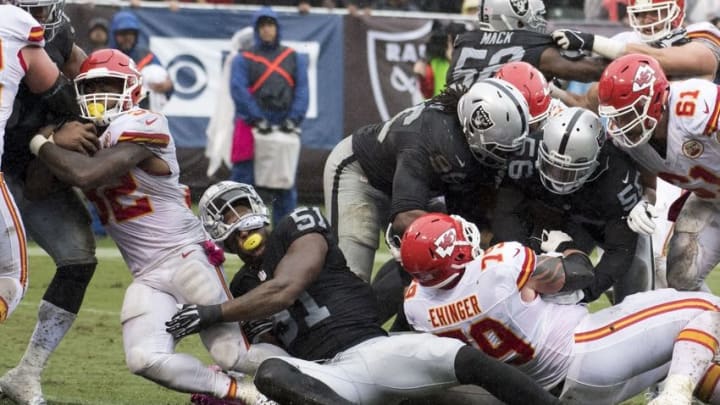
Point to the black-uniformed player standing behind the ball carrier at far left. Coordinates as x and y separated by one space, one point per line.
53 214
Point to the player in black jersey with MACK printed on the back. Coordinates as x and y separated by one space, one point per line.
514 30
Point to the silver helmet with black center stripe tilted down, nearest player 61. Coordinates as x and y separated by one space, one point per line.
569 150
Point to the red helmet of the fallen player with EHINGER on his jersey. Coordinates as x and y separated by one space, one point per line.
436 247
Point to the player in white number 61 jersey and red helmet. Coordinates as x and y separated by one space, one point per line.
671 130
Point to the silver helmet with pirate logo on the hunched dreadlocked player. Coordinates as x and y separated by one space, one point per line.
494 116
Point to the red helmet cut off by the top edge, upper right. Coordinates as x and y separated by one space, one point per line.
653 19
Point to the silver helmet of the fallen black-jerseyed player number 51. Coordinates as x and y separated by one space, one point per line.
222 197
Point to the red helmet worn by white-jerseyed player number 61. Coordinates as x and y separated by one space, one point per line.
633 91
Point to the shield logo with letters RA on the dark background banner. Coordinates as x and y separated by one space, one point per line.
391 56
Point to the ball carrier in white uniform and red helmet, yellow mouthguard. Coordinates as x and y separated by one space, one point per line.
133 180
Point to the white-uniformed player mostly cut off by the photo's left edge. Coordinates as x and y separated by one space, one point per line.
21 42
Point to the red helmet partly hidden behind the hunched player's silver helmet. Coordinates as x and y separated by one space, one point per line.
532 85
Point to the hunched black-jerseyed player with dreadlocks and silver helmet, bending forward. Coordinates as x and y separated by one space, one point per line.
452 145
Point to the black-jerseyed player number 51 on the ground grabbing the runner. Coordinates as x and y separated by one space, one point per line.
321 310
